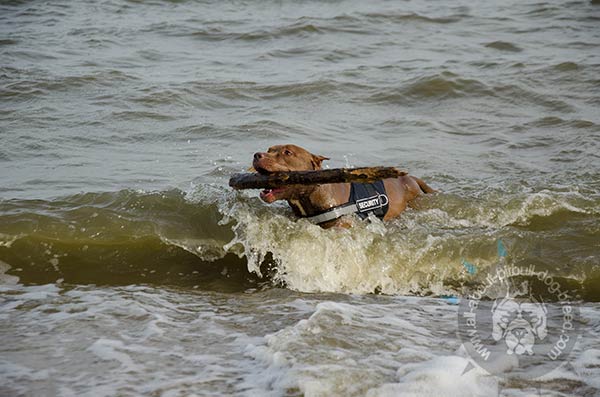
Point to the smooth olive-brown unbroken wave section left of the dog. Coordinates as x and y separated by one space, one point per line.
118 238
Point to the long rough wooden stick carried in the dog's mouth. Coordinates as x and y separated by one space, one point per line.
336 175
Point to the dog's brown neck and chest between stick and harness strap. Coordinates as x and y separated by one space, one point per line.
318 199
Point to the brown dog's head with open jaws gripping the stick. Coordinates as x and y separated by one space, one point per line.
284 158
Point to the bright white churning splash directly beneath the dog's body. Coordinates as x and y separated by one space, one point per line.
362 259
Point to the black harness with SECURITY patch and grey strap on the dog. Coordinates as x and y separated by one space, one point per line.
365 198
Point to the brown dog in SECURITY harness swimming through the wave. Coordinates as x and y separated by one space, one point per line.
325 204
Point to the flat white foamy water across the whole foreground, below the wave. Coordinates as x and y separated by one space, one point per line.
269 343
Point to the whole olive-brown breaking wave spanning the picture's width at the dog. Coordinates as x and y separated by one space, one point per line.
212 235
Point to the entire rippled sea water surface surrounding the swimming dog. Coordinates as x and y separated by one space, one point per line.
129 267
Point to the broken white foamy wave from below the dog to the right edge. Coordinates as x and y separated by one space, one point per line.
421 252
